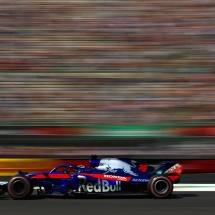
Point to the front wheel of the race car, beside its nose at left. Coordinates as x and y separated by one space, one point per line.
19 187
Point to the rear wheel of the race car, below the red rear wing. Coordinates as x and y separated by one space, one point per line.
160 187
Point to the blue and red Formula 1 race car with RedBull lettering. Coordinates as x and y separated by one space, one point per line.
104 176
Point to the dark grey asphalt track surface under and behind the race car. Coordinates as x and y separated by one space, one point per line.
187 202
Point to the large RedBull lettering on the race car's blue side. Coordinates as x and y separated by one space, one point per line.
100 186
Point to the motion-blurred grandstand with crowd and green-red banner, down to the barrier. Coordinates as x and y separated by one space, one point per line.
117 78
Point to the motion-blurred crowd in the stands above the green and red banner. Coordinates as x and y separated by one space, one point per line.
109 62
